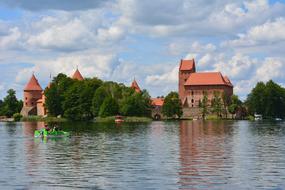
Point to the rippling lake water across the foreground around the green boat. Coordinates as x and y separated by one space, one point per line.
159 155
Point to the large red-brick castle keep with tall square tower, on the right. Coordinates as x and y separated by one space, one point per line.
193 85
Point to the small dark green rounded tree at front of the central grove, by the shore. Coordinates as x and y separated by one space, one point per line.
109 107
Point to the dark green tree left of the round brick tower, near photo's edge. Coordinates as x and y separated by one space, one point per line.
11 105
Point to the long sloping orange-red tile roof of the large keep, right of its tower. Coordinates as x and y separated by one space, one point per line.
207 78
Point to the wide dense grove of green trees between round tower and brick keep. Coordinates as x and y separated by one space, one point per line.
89 98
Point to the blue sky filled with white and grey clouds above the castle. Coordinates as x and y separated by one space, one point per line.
120 40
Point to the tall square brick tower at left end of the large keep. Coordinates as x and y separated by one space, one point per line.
185 69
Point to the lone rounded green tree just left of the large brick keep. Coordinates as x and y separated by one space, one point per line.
172 105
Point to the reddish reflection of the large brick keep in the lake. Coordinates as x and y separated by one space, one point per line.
202 153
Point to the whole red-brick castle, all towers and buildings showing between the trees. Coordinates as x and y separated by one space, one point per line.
192 86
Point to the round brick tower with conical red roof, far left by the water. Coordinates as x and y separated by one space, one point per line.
32 93
